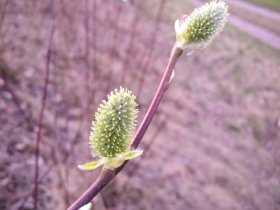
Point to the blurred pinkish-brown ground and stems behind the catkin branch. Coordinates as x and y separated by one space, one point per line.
214 142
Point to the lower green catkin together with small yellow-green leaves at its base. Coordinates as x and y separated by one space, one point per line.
112 131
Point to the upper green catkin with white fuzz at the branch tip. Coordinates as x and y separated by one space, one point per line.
204 23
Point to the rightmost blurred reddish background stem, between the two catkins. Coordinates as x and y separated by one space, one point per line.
151 45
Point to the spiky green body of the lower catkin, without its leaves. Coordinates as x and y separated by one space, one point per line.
114 124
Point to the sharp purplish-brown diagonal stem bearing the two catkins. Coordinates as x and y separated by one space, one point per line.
106 176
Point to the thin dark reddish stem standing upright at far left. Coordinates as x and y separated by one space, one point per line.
40 120
